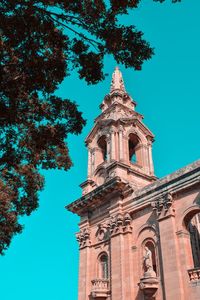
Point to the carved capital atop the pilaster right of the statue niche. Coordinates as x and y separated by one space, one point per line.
164 206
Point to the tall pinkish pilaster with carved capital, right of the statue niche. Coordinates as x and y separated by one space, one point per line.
173 284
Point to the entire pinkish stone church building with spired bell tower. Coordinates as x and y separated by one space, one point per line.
139 235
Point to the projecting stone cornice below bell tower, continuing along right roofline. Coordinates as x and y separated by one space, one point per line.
180 180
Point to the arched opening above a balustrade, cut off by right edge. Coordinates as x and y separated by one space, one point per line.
193 227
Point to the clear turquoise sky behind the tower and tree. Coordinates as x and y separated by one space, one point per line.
42 262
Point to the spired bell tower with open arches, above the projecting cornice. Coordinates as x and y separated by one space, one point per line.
119 144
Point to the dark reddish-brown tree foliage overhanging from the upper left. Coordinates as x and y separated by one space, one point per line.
41 42
